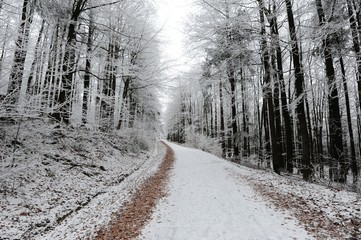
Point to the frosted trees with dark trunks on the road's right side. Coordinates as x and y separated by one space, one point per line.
279 82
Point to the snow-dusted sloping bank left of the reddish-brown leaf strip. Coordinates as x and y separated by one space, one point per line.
62 184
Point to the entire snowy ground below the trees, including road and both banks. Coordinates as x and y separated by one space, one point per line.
60 183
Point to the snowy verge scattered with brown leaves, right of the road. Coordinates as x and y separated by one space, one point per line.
325 212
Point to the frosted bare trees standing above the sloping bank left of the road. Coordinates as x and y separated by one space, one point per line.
81 62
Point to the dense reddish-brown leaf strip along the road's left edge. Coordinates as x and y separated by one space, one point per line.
128 222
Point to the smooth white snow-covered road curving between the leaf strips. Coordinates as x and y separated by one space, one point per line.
208 201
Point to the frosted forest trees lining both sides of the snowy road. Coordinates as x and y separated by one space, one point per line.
278 81
